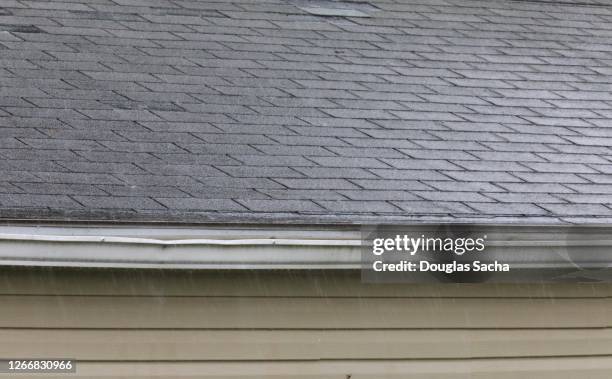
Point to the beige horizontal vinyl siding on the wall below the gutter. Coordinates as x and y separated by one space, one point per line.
139 324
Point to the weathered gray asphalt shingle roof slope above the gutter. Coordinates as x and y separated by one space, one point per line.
195 110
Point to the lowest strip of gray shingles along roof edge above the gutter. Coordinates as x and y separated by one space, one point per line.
120 217
